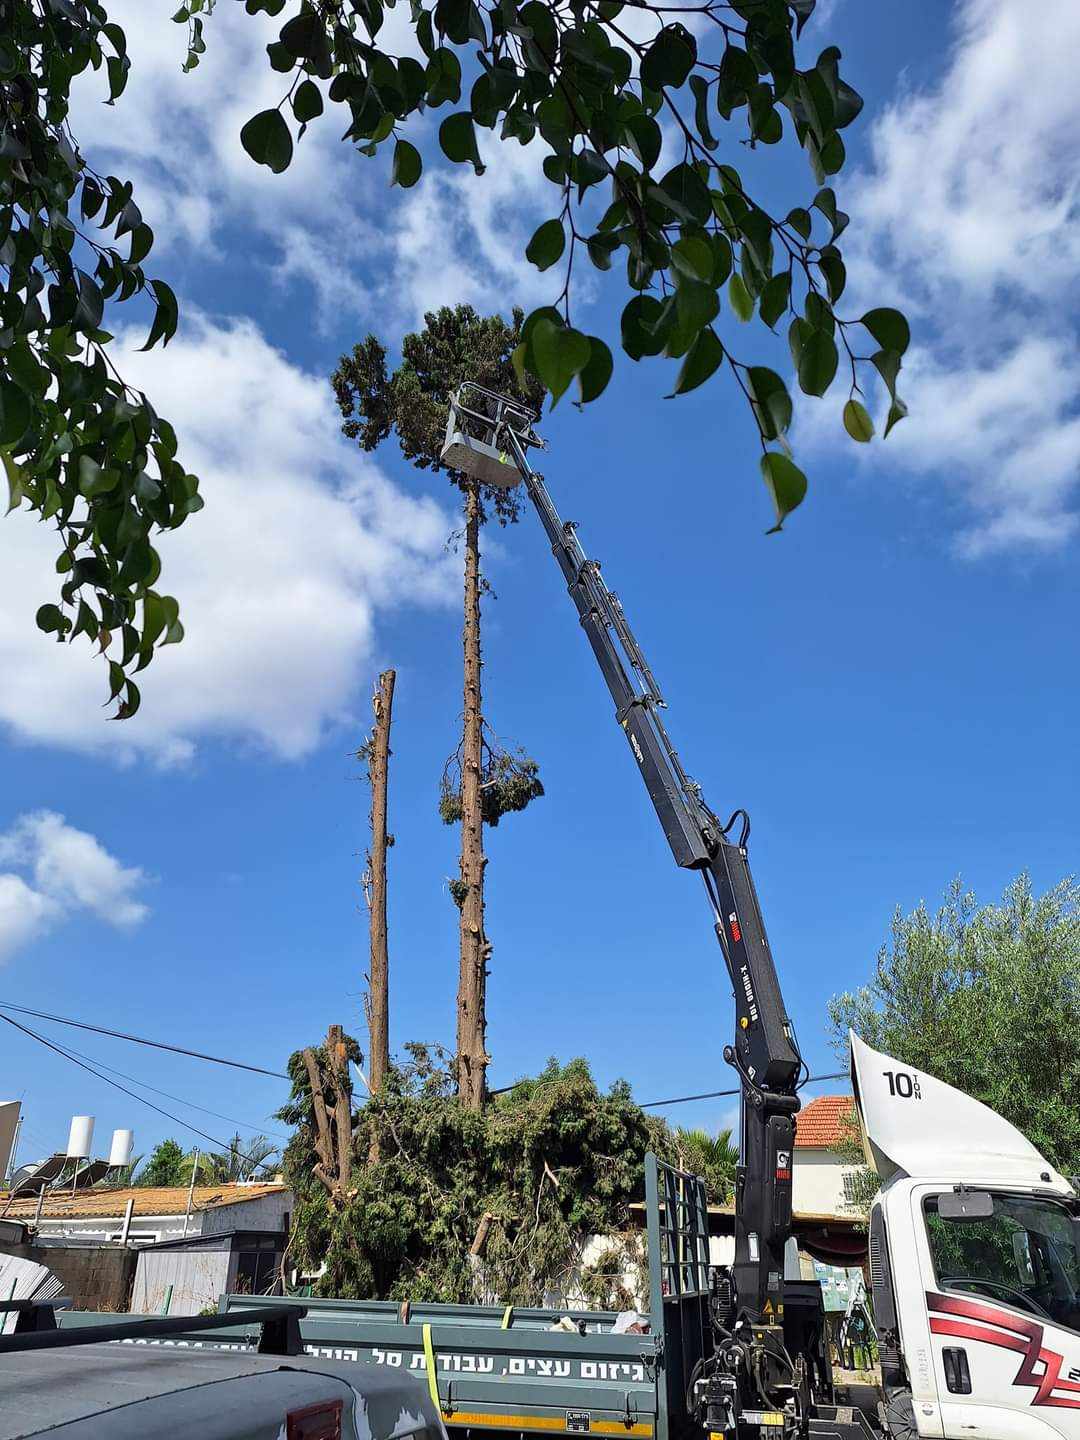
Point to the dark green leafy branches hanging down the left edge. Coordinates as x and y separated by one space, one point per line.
83 450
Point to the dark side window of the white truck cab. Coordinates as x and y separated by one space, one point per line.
1026 1255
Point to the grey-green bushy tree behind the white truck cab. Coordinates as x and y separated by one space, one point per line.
986 999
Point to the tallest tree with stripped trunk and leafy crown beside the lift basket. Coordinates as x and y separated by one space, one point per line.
482 781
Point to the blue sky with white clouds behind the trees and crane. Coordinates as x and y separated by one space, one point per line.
889 688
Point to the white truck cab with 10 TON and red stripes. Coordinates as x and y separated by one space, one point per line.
976 1264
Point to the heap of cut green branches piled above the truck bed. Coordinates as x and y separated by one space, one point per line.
551 1163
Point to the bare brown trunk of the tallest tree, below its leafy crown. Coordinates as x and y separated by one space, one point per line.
473 1056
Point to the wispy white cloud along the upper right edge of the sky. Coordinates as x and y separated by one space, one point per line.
968 218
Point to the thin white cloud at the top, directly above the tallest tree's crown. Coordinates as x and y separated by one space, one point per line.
332 217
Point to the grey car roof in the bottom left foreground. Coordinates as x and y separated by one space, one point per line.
41 1390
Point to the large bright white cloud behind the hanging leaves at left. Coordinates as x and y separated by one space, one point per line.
279 578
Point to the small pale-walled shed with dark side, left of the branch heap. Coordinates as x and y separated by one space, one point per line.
186 1277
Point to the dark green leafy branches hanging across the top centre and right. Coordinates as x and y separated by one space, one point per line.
595 83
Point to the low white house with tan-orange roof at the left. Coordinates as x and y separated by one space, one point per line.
146 1216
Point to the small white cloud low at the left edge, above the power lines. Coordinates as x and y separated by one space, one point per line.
71 872
